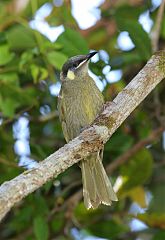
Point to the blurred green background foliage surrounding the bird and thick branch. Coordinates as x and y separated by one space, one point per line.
30 130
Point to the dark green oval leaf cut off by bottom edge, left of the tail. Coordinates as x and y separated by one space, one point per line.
41 229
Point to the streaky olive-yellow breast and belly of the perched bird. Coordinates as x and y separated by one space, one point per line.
82 104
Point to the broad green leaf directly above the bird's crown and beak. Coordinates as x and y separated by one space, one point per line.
73 43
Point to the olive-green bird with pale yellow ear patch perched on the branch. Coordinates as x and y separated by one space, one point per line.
80 101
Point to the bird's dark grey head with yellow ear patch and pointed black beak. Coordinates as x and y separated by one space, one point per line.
76 67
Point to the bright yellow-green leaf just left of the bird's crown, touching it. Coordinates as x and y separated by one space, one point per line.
57 59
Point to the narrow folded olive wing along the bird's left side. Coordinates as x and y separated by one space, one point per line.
62 115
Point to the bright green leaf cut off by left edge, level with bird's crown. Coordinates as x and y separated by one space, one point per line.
5 55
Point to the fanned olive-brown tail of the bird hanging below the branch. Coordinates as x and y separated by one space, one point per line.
97 188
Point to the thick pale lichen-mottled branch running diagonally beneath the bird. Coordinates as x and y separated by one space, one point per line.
88 141
